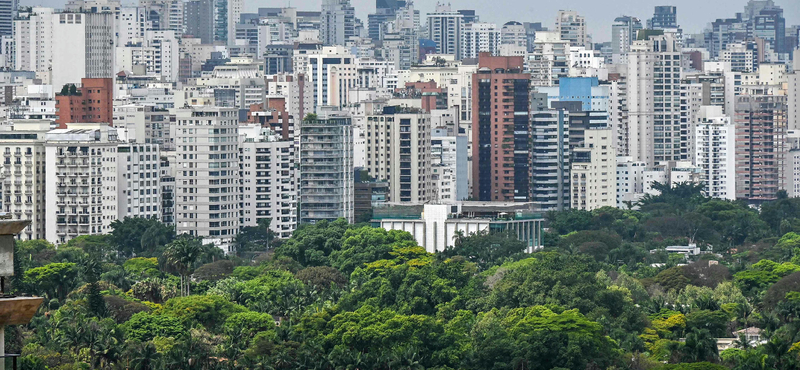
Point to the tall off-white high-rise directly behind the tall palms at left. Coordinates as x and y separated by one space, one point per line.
207 174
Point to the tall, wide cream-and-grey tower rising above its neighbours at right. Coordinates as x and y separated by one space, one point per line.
655 132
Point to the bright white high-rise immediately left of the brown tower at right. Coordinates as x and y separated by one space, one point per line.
715 156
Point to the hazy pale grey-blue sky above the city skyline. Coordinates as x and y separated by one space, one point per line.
693 15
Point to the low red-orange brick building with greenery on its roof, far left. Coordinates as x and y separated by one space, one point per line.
93 102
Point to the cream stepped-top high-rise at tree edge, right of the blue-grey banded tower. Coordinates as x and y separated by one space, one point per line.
593 171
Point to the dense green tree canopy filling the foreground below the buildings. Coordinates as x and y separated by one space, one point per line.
603 294
